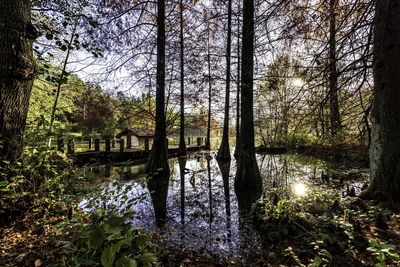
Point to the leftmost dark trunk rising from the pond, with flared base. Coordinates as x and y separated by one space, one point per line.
158 160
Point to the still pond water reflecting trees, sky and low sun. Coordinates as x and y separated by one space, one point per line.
196 208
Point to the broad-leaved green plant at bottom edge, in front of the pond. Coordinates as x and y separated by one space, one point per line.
112 242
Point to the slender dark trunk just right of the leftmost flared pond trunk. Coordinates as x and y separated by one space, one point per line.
182 145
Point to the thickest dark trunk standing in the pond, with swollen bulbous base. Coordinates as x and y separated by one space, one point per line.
248 183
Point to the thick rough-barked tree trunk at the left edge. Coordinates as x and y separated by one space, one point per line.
16 74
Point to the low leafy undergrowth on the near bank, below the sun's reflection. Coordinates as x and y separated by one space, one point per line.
313 225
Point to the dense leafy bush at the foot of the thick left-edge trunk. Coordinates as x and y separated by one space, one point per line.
37 183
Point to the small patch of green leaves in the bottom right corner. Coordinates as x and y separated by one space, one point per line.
384 253
